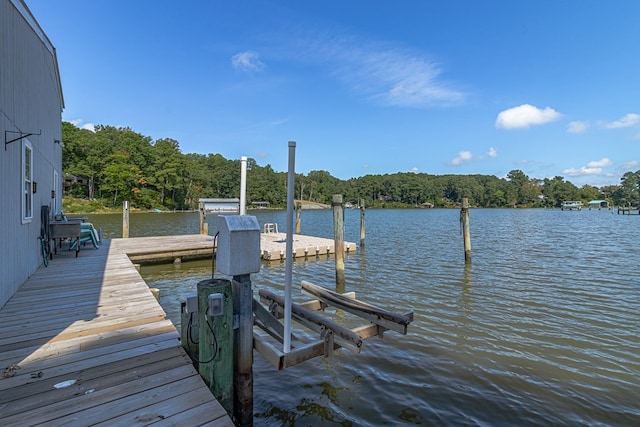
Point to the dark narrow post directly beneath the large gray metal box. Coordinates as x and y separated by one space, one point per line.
243 350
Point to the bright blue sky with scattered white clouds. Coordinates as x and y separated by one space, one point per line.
550 87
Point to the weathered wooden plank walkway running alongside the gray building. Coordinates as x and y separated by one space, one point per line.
83 342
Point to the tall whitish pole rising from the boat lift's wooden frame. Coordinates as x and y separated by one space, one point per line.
286 344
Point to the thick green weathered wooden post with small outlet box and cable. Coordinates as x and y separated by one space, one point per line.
216 349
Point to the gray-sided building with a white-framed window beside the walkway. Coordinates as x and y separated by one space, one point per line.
31 105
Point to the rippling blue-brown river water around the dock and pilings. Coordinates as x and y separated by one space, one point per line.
542 329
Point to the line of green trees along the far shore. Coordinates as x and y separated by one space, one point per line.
114 164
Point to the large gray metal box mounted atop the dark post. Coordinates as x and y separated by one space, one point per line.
238 251
